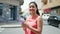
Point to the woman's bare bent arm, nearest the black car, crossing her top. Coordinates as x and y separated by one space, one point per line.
39 26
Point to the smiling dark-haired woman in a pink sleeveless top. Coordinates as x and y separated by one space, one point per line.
33 24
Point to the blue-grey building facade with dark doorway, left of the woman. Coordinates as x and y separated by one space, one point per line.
9 9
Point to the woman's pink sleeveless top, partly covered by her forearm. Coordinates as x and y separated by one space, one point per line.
33 23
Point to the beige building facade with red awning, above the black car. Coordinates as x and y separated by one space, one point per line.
51 6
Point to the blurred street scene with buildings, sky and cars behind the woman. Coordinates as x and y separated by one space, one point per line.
12 10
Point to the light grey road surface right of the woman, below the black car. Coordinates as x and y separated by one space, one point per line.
47 29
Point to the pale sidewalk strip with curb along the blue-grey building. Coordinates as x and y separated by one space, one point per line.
10 24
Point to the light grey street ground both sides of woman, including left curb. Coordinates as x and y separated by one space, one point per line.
16 29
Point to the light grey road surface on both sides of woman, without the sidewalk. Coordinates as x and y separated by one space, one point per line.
47 29
